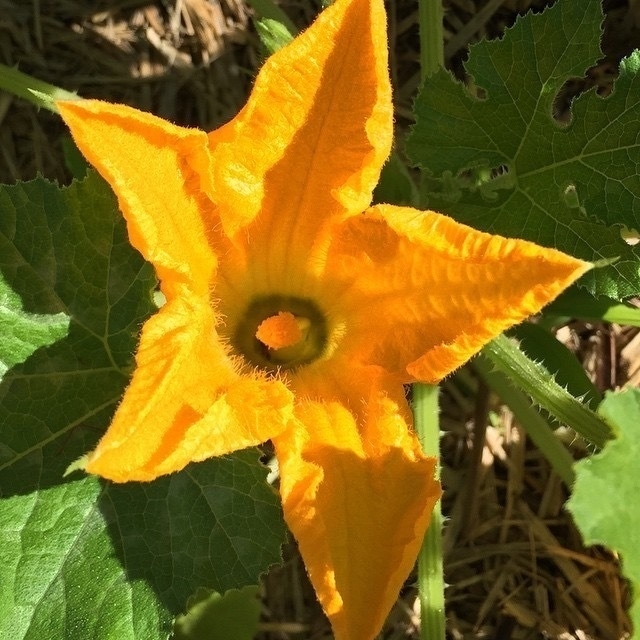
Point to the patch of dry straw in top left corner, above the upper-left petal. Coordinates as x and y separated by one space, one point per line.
190 61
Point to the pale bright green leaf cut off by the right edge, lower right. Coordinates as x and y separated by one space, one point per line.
604 503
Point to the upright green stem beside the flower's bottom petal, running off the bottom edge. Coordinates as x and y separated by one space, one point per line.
430 565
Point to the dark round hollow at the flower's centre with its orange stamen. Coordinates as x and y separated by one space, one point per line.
281 332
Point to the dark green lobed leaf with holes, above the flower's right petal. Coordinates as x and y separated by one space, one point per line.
597 154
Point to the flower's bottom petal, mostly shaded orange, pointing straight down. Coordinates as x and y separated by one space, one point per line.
358 507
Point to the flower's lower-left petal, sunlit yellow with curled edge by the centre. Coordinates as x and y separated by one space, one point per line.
186 402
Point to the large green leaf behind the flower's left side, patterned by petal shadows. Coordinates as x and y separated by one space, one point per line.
80 558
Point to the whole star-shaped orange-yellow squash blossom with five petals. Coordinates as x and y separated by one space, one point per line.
295 312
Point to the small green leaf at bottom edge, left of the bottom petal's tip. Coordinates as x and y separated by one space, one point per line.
232 616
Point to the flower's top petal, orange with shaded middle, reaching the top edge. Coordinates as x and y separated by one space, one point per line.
311 141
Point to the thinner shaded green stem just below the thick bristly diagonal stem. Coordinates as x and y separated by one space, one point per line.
534 424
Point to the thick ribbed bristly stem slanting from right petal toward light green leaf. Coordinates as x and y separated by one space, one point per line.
537 382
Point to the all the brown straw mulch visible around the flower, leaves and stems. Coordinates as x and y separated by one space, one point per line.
515 564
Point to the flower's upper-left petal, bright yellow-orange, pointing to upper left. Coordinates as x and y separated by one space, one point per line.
151 166
